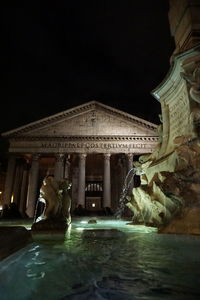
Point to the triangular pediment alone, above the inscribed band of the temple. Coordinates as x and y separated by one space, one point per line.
90 119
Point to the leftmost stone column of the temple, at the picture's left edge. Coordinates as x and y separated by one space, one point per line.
9 180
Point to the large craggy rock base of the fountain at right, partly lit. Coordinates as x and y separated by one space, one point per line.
169 194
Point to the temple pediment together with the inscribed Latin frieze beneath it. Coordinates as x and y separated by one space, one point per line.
89 128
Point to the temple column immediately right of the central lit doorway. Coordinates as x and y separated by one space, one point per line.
106 181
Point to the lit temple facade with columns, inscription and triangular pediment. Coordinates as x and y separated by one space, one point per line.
92 145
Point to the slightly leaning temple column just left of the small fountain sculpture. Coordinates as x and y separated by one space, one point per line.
33 186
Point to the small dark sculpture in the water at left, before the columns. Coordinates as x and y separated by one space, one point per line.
57 203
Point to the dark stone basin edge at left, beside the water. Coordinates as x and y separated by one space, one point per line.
12 239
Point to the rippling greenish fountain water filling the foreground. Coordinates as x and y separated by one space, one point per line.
125 262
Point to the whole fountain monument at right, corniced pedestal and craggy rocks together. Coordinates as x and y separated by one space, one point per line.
169 196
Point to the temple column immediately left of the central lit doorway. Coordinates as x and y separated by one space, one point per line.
81 180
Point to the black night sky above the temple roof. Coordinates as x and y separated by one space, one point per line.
59 54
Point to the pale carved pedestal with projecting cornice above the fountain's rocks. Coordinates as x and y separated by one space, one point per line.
175 96
